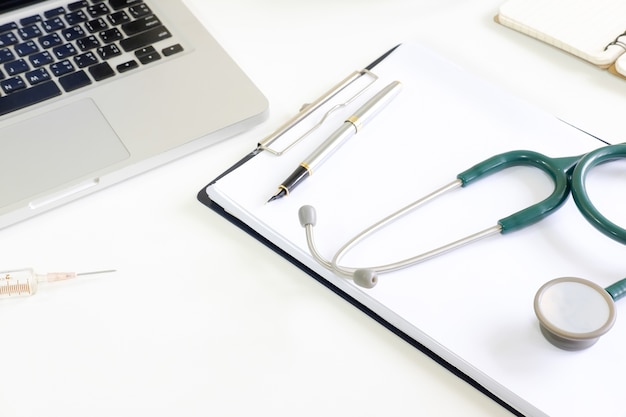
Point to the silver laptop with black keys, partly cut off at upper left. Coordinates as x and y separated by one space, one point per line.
95 91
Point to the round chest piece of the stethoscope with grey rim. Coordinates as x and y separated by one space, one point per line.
573 312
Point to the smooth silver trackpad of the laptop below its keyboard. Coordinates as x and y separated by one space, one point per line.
55 148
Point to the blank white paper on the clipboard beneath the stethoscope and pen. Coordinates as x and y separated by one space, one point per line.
491 122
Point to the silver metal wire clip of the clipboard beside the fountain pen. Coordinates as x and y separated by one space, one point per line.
308 109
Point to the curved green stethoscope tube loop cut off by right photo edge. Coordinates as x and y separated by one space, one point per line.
579 190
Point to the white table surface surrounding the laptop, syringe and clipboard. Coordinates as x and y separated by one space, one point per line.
202 320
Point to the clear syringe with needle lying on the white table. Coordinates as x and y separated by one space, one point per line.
24 282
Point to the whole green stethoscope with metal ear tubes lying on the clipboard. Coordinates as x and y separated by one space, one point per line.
573 312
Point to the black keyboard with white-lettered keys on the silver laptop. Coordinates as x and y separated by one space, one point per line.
74 46
